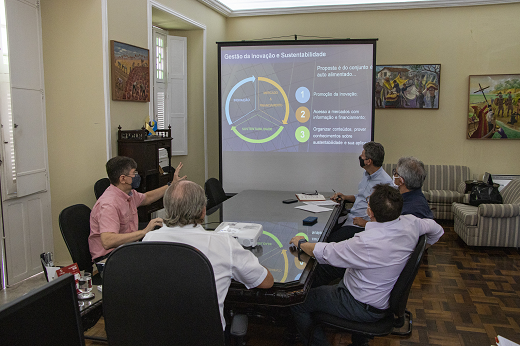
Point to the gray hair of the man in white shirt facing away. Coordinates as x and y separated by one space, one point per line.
184 203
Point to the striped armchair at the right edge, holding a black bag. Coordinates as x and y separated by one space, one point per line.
491 224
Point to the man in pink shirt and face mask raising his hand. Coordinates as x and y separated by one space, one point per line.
113 220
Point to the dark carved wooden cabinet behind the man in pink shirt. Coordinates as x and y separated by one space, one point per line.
144 150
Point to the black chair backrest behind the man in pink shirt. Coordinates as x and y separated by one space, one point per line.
75 228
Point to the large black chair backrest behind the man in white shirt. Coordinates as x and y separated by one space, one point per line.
160 293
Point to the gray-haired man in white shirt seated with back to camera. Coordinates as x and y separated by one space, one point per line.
185 205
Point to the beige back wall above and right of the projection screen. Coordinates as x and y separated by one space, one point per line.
465 41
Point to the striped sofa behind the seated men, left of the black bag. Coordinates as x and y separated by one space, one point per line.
444 184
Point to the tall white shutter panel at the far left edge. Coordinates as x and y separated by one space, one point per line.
28 111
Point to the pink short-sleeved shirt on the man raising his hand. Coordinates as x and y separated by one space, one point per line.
114 212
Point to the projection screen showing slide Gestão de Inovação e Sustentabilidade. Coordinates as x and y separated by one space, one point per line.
294 115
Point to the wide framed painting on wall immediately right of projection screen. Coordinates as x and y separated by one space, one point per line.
407 86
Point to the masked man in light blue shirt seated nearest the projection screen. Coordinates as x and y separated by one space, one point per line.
371 160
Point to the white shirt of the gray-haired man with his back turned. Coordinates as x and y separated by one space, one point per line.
228 258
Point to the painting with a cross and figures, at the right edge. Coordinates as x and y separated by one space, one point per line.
494 107
